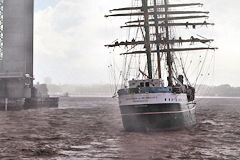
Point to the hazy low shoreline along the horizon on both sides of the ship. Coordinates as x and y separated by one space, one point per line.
222 91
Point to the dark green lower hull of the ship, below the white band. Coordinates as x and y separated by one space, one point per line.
170 116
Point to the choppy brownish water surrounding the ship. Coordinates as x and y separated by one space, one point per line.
91 128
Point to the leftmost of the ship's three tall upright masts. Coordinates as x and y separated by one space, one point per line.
147 37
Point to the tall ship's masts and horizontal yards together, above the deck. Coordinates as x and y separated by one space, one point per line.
156 16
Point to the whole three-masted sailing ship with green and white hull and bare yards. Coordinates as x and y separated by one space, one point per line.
147 102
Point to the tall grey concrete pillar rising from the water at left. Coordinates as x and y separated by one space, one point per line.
17 59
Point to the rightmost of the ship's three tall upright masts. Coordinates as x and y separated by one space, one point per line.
169 56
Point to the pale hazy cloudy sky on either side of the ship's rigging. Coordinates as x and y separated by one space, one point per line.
70 37
